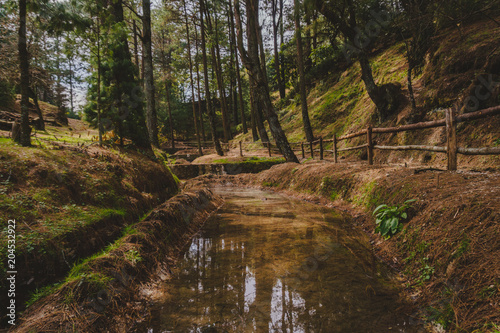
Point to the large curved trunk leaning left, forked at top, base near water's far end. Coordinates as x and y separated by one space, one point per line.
252 63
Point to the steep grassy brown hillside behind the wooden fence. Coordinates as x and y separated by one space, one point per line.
454 72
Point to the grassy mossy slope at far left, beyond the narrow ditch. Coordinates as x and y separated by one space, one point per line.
69 203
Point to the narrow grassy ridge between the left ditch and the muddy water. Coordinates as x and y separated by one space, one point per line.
103 293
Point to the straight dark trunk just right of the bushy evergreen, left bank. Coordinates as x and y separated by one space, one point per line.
151 117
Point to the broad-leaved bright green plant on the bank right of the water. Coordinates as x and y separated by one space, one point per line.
388 219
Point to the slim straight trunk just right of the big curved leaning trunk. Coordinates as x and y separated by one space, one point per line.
302 81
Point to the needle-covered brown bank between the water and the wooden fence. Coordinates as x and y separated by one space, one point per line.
448 254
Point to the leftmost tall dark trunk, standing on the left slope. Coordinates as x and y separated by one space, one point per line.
25 138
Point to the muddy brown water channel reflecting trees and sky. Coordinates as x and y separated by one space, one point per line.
266 263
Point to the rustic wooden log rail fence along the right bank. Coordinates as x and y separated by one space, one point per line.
451 149
